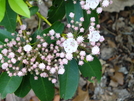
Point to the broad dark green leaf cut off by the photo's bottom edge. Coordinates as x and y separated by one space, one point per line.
43 88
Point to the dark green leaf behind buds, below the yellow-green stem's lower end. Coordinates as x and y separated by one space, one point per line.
58 28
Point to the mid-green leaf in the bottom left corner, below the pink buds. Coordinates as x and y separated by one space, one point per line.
8 84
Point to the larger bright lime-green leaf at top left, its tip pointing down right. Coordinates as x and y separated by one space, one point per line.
20 7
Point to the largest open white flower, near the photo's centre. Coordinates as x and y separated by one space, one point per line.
70 45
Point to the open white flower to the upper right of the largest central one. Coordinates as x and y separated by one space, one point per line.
94 36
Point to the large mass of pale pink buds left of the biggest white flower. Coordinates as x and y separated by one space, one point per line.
19 56
